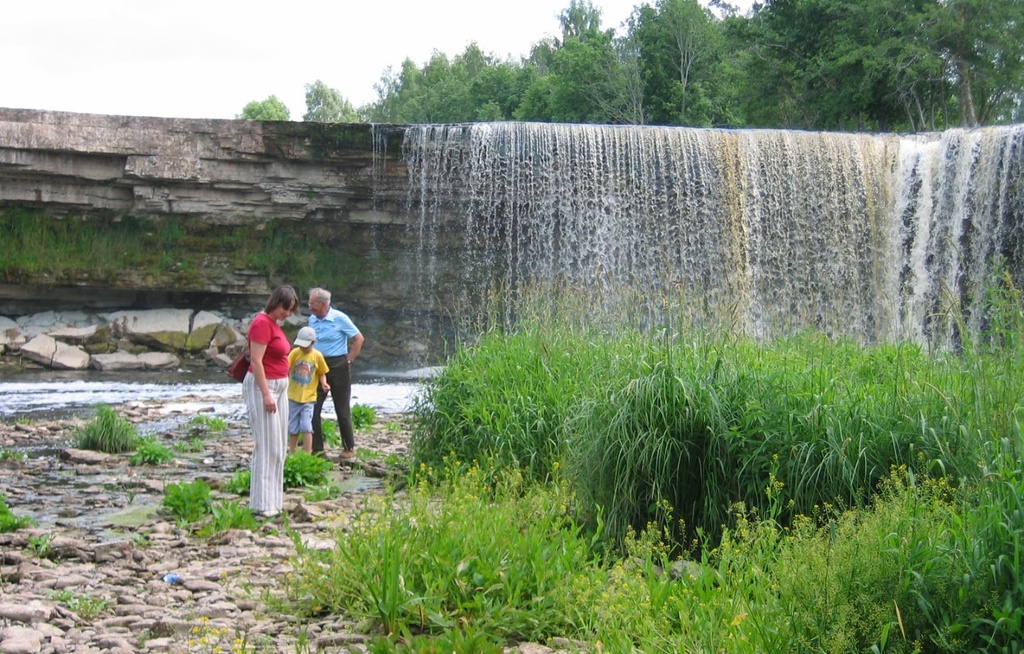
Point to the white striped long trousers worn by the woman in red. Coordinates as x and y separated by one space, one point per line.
267 487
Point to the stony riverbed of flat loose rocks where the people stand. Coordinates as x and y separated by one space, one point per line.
102 535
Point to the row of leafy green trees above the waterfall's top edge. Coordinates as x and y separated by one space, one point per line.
883 66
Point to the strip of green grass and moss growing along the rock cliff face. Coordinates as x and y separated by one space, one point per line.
36 246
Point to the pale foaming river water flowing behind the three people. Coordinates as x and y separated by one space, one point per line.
64 394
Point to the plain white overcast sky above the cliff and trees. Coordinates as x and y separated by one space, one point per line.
192 59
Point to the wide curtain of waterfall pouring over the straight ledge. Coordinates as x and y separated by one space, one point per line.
878 238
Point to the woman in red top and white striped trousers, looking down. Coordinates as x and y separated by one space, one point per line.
266 394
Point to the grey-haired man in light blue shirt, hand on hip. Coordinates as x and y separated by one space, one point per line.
339 341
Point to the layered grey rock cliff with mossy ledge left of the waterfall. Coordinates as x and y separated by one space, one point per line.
226 211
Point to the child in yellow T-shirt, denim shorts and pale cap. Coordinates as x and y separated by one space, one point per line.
307 368
